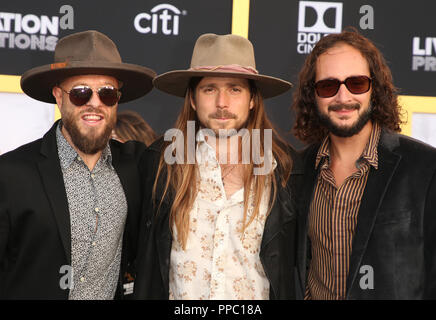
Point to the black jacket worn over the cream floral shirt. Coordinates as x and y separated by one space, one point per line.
278 246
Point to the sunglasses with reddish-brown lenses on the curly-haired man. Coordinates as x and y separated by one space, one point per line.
329 87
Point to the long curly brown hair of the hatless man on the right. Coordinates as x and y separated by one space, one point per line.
385 108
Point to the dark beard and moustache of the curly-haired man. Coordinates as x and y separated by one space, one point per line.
345 131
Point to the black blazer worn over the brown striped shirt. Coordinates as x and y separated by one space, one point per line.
396 228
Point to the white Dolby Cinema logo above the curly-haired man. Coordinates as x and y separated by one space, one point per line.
315 19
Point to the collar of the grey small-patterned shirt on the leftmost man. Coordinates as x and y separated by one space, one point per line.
67 154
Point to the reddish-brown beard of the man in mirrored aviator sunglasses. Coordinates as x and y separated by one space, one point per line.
91 142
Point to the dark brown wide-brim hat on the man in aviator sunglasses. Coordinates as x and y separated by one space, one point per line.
86 53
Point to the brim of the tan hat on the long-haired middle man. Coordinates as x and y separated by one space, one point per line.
176 82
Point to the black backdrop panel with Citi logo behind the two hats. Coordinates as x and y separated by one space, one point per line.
159 34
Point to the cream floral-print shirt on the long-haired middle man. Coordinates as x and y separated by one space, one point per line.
219 262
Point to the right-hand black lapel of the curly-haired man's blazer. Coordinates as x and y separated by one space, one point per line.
376 186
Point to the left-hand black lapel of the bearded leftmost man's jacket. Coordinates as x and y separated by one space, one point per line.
52 179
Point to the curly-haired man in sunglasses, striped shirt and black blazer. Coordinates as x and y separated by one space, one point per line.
368 202
